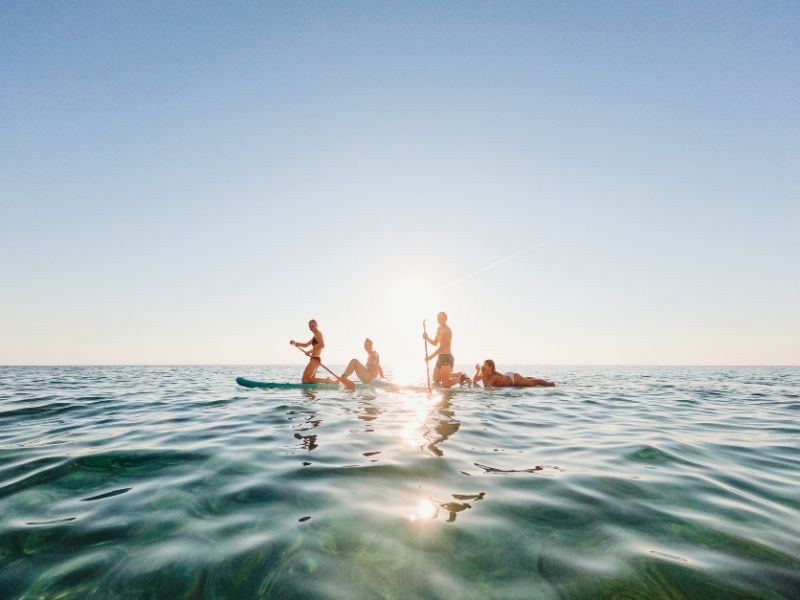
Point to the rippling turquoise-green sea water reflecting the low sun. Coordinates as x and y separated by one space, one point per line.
172 482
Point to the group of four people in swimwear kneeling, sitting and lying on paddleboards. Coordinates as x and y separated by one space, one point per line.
443 374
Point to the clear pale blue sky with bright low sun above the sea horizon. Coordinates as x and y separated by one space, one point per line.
572 182
